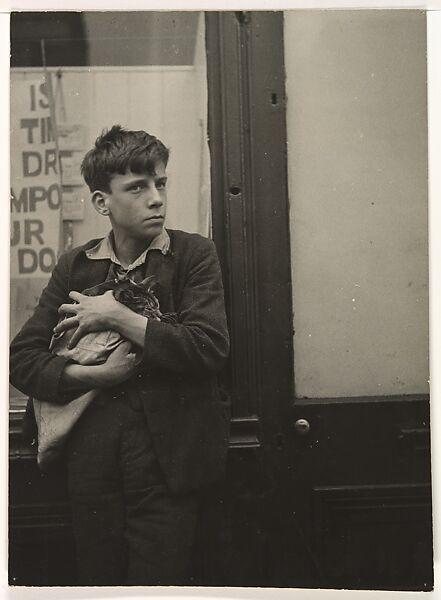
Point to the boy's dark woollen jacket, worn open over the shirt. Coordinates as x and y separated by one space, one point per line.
176 382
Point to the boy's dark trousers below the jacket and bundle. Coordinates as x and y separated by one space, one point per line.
128 528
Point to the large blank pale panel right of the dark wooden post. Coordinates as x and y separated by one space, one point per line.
357 149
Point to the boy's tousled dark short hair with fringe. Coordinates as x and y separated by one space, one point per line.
116 150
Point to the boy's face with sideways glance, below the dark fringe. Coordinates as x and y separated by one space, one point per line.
137 204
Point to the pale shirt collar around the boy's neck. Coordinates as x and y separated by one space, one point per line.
104 250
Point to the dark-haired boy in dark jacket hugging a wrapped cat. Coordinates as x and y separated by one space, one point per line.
143 451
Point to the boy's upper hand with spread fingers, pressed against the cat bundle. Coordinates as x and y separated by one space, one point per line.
90 313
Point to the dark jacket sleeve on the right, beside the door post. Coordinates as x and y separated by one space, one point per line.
198 344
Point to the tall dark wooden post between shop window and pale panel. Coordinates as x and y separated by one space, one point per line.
247 135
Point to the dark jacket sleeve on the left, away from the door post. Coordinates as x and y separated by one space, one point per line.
33 369
